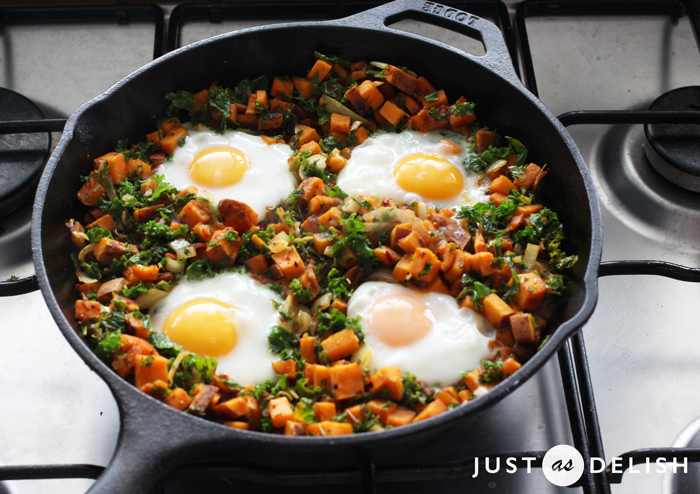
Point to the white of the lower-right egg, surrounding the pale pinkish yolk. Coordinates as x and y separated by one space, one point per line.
458 341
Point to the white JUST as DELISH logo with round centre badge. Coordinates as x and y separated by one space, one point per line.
563 465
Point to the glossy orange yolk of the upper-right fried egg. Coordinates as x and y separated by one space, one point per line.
430 176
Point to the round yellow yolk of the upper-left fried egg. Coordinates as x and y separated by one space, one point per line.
219 167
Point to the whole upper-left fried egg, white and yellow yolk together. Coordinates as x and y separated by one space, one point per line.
233 165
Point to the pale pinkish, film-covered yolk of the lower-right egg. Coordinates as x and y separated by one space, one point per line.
399 320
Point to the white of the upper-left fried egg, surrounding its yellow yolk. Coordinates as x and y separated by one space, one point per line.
266 182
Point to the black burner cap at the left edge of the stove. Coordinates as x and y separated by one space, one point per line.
22 156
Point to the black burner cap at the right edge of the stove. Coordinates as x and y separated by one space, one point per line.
674 149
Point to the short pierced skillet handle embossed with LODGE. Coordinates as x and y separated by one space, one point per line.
496 58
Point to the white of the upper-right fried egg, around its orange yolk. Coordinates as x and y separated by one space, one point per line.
370 169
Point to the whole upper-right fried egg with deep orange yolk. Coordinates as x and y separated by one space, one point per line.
413 166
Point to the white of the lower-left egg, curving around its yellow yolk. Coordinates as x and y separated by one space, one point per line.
253 316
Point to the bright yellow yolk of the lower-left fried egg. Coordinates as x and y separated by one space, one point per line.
202 326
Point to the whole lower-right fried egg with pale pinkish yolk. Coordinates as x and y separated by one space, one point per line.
426 334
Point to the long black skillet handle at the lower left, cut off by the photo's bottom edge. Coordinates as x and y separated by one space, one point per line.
152 440
